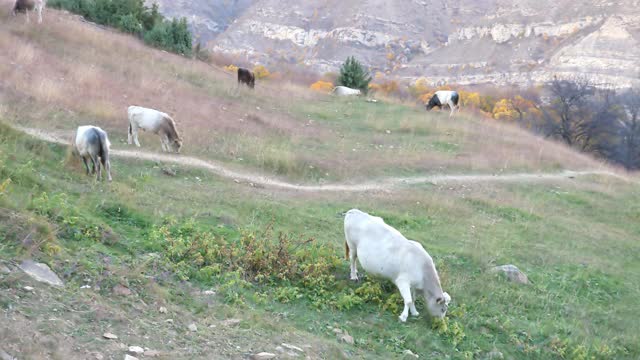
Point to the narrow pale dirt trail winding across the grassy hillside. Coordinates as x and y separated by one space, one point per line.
384 184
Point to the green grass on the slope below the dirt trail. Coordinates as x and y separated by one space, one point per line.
576 241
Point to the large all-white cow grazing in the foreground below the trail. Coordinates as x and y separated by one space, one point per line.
384 252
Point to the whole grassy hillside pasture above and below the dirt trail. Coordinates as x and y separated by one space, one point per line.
275 258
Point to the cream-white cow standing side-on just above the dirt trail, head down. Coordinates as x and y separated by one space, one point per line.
156 122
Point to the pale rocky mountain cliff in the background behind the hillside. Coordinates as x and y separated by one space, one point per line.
462 41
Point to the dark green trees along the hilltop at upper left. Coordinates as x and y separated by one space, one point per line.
132 16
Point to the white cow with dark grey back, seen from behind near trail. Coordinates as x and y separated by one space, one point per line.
93 143
